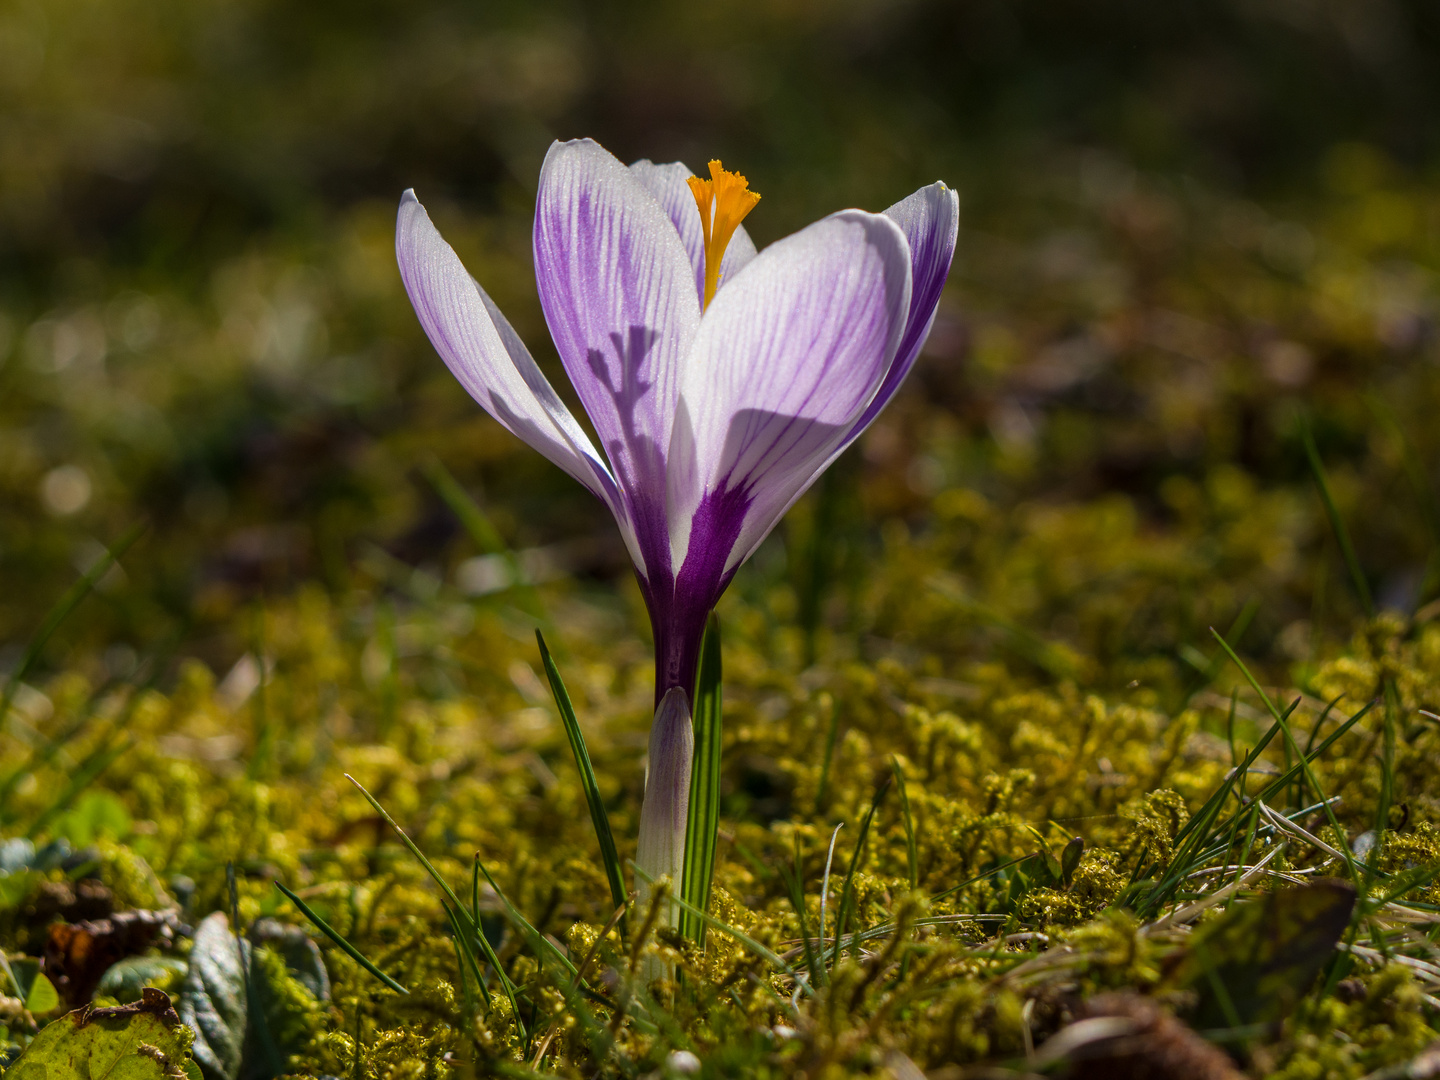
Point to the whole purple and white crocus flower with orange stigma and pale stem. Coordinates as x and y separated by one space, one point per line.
721 381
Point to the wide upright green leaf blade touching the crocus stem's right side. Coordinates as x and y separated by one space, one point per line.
705 786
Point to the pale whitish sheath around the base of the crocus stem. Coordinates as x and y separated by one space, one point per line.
662 852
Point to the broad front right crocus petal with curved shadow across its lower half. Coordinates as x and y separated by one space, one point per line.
786 364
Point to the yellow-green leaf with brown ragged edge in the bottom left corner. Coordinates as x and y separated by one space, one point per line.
142 1042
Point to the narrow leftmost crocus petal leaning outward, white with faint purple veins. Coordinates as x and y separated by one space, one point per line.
489 359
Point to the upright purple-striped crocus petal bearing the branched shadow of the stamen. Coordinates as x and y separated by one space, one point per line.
618 294
